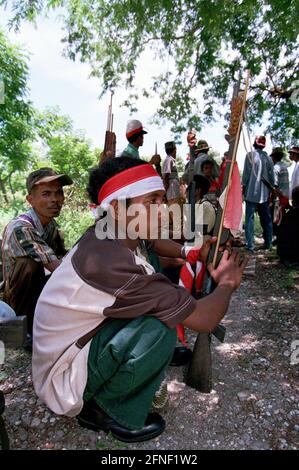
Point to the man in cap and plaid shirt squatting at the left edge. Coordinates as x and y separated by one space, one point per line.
32 243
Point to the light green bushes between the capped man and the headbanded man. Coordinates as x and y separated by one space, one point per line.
67 151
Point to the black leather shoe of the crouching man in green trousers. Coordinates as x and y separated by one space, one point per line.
93 417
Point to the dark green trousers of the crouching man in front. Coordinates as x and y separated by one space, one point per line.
126 366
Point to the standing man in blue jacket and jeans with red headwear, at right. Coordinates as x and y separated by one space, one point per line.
258 166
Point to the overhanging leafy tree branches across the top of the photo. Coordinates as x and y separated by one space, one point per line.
206 43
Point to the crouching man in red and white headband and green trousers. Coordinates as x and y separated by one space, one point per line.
104 328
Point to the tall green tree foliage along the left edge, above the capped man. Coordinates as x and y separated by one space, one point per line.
16 115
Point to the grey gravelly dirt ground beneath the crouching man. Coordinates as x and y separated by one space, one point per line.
254 403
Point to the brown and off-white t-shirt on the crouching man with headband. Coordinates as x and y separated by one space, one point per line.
98 279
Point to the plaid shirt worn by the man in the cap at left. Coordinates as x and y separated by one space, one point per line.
26 236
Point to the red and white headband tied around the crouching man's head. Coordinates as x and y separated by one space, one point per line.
130 183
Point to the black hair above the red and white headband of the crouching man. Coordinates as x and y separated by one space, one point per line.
99 175
